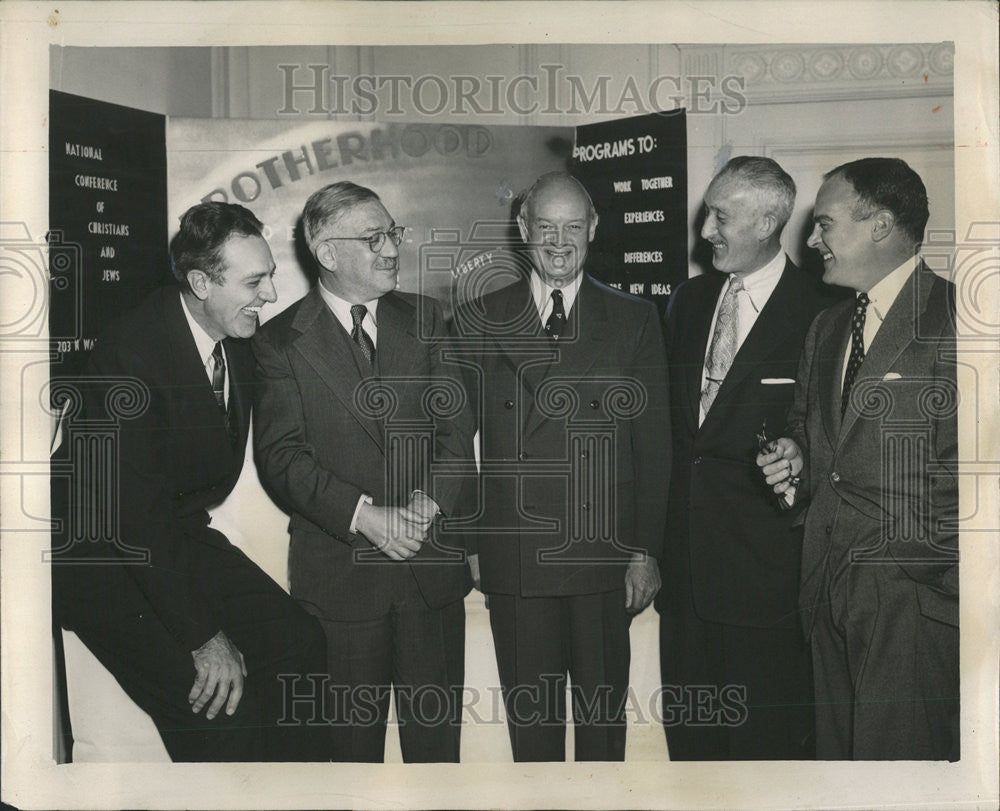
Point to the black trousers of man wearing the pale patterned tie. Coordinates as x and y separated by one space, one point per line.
733 693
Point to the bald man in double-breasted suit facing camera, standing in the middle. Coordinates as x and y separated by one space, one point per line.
568 384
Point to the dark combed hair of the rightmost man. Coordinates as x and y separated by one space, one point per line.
891 184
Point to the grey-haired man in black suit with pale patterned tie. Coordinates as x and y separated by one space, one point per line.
729 634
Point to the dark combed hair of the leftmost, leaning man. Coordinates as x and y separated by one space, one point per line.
205 229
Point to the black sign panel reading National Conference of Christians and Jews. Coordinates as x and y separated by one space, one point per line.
107 218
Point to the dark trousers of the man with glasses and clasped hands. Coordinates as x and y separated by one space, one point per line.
414 650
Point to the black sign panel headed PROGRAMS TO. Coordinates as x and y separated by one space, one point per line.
636 172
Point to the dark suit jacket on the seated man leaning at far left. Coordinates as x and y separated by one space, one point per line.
175 460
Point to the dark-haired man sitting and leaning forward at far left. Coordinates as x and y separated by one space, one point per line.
183 619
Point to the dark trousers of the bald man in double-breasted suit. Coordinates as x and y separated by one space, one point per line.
539 640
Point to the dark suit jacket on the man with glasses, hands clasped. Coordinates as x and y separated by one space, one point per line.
325 435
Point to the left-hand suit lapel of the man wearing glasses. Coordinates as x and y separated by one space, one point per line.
321 342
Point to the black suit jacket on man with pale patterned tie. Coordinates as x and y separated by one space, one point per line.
723 525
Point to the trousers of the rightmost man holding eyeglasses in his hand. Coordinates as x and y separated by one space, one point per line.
887 673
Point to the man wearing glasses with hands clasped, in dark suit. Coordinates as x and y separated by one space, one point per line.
352 419
